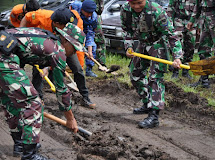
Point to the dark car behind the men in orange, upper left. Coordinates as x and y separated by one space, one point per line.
45 4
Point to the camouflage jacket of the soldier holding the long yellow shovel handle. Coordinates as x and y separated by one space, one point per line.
139 28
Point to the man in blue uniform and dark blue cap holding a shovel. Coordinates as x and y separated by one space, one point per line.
89 17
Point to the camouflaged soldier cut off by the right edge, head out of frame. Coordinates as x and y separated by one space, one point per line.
205 9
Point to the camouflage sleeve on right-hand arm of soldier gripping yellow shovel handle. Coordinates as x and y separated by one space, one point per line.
165 26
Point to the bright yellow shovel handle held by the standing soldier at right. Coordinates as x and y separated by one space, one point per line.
157 59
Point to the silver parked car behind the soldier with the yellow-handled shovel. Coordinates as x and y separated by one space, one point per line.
111 24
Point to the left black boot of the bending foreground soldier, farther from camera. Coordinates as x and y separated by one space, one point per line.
17 148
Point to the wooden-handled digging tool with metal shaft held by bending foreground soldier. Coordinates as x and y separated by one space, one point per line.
62 122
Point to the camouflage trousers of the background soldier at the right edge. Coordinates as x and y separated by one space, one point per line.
207 37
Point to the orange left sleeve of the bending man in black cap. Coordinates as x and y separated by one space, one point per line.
32 19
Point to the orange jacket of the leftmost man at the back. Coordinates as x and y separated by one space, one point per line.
17 14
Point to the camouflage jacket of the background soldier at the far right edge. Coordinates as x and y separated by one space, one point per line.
199 9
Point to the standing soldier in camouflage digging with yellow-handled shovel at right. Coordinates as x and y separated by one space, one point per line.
148 22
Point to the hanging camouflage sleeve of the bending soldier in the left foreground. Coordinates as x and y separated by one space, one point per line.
58 64
